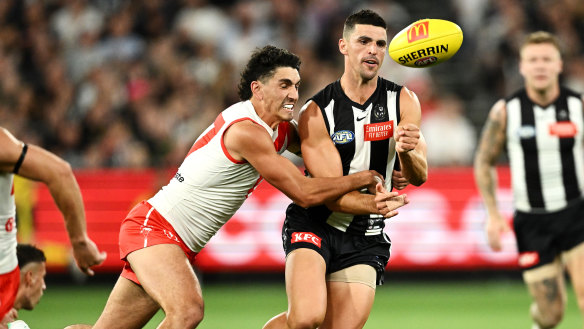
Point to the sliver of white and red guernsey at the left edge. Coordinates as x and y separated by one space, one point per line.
8 260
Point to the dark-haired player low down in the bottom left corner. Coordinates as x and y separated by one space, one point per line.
31 262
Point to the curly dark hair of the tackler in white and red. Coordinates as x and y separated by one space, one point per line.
263 64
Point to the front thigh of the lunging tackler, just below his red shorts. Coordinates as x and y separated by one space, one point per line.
167 276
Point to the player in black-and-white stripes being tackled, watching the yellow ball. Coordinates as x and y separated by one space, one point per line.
336 254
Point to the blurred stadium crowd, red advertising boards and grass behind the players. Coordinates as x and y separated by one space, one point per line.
121 89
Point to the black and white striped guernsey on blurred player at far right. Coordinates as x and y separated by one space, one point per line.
545 151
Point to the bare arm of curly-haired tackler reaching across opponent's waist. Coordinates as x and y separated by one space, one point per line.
249 141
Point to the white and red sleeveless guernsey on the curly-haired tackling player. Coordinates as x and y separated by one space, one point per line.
210 185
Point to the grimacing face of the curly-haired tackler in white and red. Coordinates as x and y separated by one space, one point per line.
280 93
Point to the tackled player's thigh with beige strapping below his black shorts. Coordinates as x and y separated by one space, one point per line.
349 301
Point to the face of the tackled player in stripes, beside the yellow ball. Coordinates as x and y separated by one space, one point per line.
365 49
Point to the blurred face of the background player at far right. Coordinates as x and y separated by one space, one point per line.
540 65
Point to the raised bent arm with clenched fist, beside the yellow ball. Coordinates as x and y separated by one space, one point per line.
410 143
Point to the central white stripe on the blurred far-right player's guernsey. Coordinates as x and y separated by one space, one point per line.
549 159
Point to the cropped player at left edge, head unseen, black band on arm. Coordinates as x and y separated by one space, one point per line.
35 163
